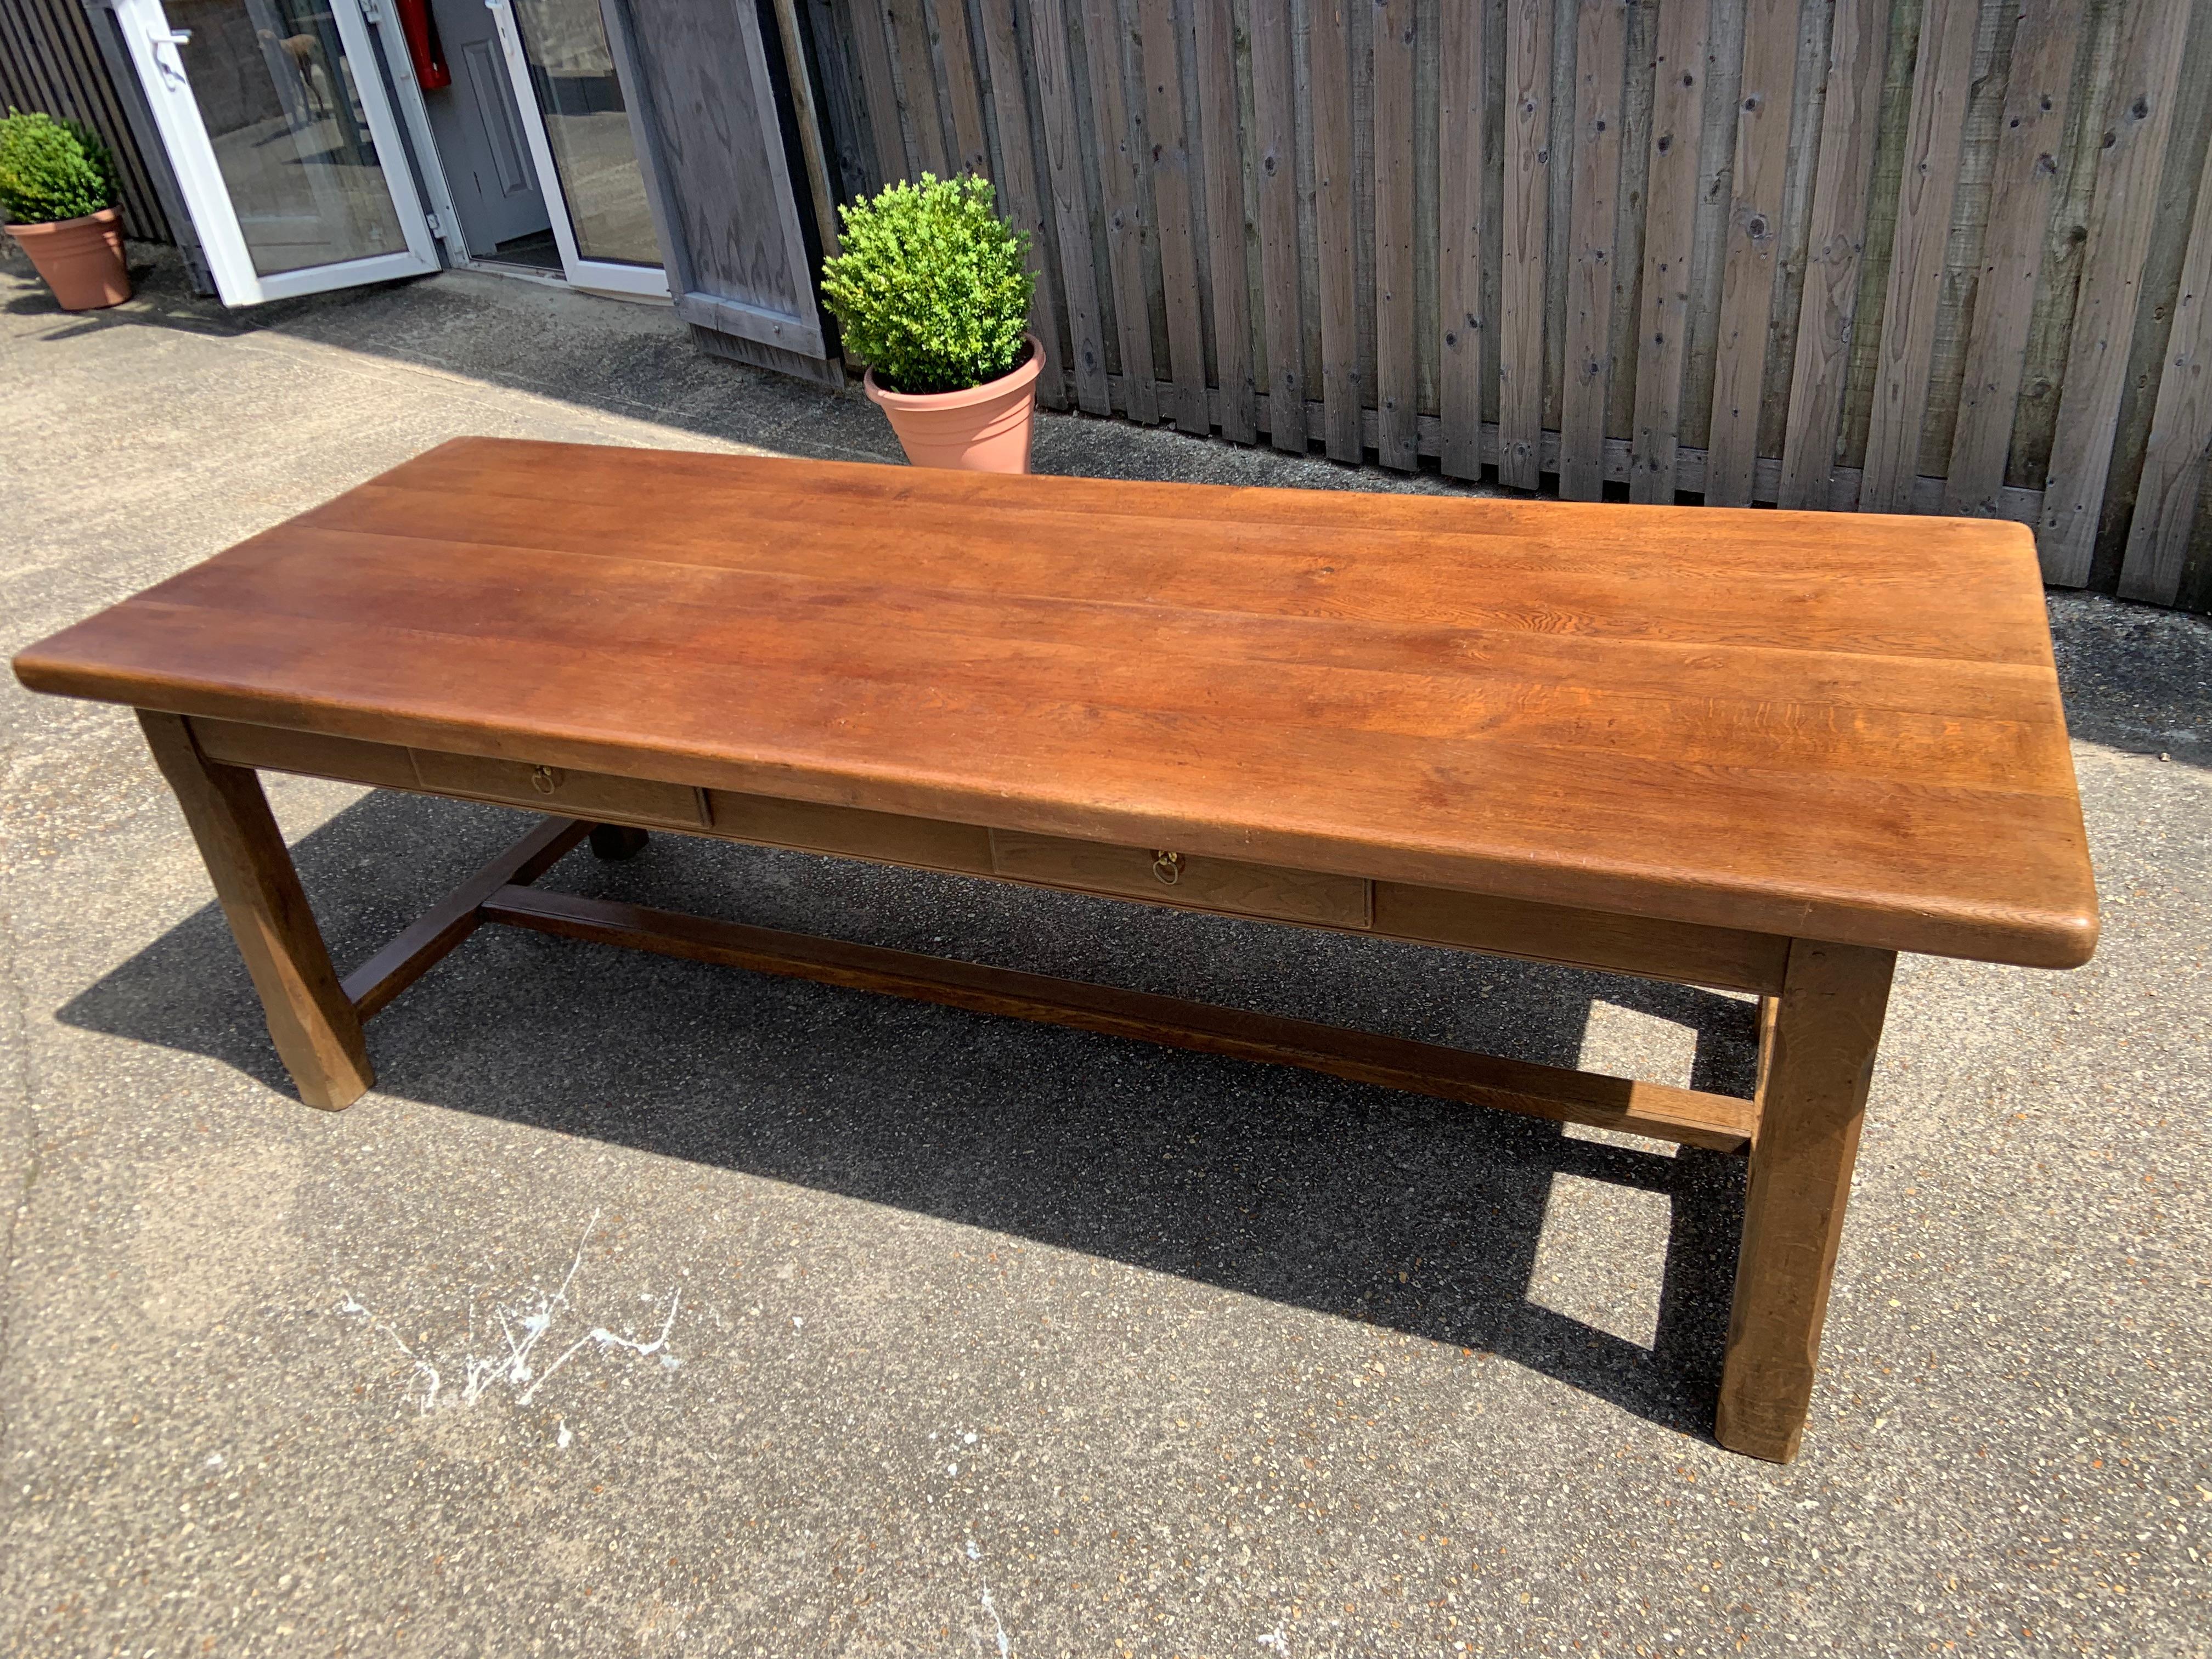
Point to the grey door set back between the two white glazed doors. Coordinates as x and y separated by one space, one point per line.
481 140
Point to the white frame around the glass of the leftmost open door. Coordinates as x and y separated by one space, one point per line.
152 43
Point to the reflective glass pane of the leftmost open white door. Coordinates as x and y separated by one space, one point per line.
278 98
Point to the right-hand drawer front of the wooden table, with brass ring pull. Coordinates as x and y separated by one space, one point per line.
1193 881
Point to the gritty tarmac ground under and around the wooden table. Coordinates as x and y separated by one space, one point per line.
656 1308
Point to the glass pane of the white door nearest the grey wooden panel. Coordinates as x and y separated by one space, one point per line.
574 79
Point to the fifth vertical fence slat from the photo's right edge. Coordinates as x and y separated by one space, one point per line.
1859 43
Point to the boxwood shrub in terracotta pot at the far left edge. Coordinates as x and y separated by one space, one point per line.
59 200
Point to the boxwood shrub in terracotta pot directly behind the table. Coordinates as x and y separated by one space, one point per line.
932 291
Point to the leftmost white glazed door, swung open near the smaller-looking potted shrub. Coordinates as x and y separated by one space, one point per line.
282 140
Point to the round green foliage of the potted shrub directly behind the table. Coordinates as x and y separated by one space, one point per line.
932 286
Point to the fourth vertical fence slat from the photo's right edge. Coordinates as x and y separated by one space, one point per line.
1926 198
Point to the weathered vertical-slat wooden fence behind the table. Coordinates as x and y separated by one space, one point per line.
1888 255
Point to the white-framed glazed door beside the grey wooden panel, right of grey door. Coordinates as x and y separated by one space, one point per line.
581 140
